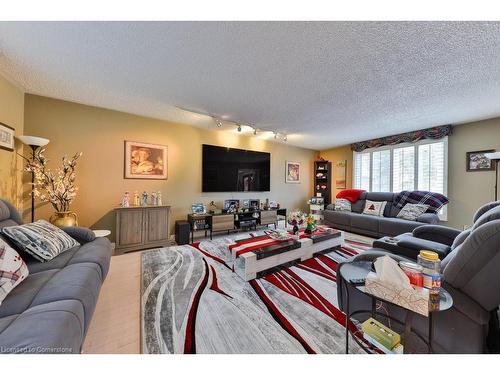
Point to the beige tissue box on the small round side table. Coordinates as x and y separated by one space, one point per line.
415 299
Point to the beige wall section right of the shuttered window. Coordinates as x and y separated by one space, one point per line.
469 190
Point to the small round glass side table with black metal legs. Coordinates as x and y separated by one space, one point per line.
359 270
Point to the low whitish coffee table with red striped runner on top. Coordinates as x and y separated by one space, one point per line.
255 257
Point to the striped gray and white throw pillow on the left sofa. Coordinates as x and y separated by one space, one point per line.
42 240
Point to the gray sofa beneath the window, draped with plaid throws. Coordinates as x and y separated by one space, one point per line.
374 226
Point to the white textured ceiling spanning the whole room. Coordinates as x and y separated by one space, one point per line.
324 83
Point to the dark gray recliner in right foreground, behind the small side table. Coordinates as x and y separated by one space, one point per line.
470 274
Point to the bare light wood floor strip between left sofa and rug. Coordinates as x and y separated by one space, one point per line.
115 326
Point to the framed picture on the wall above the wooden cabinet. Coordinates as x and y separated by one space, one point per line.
145 161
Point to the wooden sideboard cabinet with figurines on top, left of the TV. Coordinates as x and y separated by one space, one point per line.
140 227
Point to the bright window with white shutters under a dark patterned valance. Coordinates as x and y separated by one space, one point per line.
417 166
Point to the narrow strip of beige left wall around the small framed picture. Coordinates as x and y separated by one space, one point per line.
11 114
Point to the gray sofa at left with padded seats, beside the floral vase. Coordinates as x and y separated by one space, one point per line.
50 311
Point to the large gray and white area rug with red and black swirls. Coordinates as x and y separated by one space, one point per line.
192 302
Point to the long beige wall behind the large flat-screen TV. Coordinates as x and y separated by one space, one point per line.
100 133
